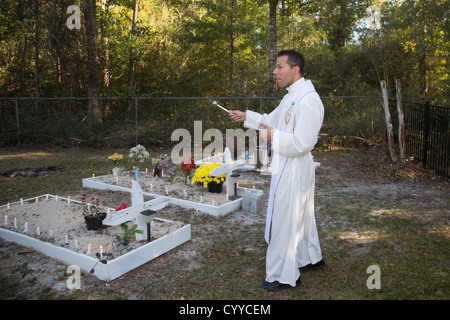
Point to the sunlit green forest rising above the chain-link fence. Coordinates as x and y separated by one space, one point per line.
222 48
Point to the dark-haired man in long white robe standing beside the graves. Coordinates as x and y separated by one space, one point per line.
293 128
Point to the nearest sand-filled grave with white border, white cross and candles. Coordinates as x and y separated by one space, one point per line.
54 226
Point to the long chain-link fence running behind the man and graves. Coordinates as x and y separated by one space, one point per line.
151 121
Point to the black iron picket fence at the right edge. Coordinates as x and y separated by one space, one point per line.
427 135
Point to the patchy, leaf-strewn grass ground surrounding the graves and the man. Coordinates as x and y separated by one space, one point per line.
405 231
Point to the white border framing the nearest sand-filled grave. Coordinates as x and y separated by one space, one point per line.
113 268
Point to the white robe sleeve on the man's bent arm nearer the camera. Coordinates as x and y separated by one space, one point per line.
308 122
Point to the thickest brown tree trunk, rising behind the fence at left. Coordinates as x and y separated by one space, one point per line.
93 65
